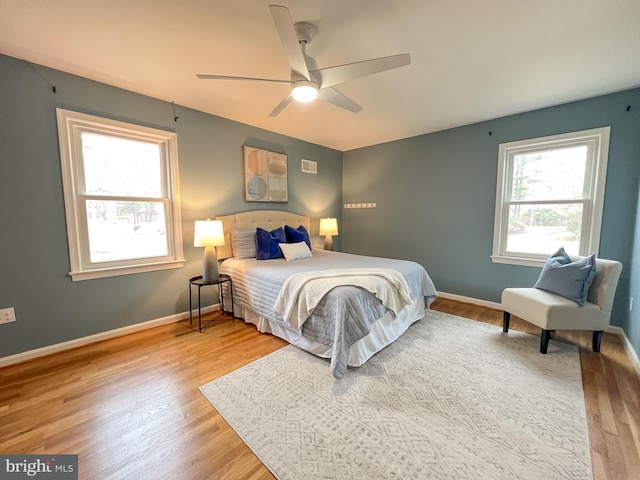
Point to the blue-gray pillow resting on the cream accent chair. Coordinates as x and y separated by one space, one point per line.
568 279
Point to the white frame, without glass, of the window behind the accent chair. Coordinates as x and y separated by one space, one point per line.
597 142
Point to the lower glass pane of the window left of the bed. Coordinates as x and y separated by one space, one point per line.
126 230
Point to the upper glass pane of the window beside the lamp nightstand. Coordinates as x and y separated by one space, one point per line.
121 167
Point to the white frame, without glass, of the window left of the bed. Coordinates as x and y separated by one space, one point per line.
70 127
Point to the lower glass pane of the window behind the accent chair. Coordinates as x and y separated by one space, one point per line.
542 229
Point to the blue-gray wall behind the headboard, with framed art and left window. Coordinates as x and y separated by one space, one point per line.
34 257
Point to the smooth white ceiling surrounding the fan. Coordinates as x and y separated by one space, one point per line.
472 60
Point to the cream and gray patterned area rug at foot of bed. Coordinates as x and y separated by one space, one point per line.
450 399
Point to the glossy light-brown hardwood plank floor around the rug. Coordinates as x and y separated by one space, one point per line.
131 409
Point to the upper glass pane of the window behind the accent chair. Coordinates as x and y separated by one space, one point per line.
549 174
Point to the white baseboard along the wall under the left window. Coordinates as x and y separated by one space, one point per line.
118 332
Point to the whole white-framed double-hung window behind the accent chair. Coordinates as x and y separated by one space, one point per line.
550 194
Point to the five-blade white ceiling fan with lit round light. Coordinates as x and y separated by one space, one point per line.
307 81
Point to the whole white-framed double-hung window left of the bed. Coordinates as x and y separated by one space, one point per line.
121 196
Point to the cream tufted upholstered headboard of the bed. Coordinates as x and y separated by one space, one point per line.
267 219
